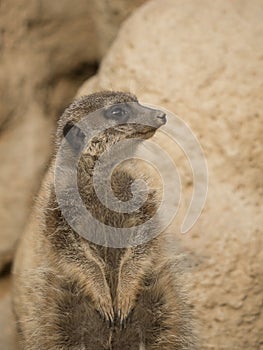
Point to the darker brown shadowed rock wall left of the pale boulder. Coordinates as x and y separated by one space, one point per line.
46 51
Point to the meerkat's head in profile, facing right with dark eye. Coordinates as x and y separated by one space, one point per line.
101 120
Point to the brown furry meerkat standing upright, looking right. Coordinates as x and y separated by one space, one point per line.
72 294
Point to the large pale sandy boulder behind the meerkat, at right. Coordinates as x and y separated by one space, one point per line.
203 60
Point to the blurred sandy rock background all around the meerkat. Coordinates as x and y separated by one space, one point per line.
202 60
